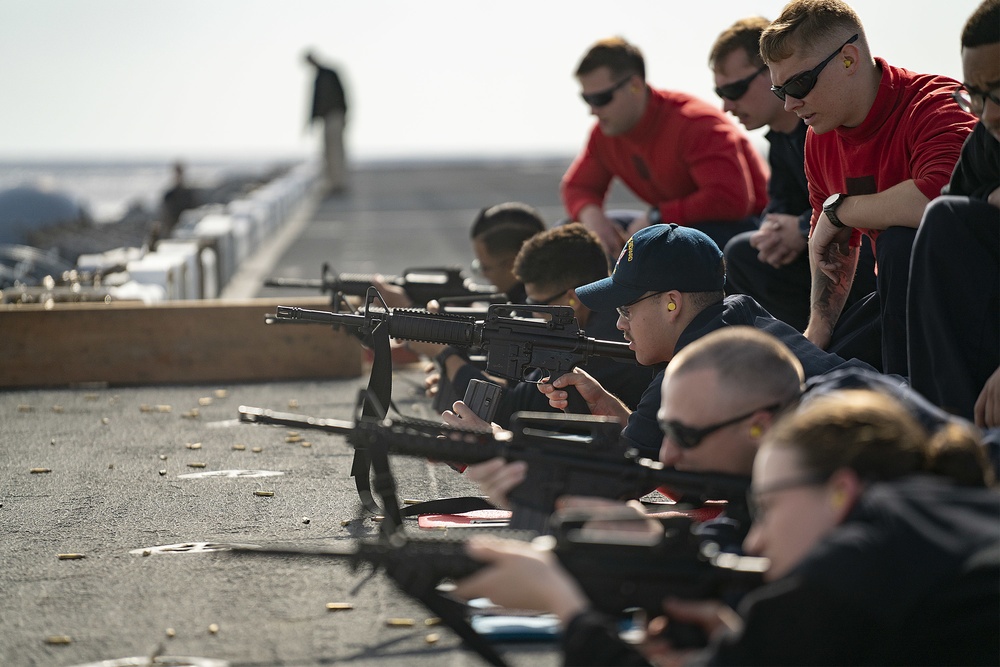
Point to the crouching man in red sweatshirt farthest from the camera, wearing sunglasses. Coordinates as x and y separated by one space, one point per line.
675 152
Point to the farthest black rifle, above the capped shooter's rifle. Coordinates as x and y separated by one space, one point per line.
421 285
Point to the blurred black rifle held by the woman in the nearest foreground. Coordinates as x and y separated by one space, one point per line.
618 572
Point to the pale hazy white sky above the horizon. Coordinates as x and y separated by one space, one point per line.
204 79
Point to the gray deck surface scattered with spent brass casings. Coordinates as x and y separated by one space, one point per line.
105 496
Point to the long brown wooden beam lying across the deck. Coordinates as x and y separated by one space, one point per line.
128 343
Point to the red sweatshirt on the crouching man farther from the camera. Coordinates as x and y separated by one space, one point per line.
684 156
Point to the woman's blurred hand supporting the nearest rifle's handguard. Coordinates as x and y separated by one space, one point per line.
521 576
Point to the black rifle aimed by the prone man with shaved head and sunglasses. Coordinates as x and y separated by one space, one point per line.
566 455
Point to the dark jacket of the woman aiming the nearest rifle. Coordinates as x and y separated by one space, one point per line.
912 577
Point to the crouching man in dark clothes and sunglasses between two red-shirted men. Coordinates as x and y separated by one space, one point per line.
771 263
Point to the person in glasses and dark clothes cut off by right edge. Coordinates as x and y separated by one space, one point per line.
954 299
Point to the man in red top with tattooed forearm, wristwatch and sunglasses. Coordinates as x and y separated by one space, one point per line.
882 142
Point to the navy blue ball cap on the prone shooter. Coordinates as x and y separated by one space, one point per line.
659 258
